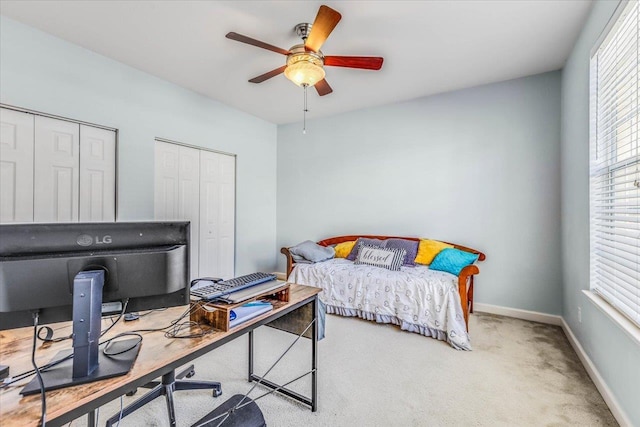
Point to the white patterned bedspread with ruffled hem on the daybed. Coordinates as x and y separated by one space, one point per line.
415 298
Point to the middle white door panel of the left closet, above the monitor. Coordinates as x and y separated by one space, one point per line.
56 163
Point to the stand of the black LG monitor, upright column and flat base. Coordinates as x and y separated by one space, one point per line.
87 364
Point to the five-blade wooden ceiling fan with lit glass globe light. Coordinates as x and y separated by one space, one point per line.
305 61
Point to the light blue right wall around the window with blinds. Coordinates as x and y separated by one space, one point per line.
614 354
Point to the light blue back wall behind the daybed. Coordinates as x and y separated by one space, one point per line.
479 167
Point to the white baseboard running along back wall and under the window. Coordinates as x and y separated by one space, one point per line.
550 319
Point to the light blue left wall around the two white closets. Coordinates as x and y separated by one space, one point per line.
47 74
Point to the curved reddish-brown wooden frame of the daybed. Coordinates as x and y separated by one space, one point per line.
465 278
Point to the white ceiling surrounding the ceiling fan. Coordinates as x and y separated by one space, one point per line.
428 46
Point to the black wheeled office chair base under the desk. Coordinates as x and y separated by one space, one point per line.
170 382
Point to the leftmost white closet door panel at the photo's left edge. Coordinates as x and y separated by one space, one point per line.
16 166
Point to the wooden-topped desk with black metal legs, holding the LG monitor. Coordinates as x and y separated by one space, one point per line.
158 356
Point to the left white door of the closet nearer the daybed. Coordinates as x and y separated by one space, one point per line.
177 171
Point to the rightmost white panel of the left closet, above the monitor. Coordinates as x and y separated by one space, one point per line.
97 174
